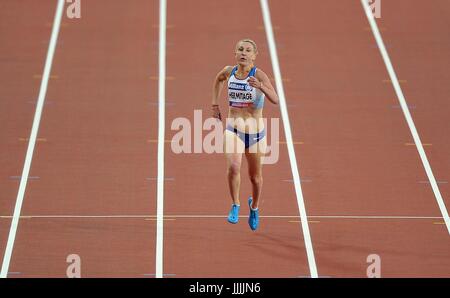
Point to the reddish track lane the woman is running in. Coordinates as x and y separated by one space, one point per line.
212 247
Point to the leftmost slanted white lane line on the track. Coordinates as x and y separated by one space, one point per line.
32 140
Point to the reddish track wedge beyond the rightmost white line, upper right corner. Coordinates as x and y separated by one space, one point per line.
418 47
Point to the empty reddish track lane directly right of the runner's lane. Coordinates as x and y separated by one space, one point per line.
356 157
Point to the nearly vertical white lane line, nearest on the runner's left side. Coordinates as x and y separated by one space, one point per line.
161 135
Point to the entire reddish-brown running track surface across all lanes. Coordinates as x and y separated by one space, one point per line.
96 158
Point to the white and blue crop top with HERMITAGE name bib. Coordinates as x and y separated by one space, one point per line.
241 94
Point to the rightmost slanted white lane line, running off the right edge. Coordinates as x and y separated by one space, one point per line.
404 105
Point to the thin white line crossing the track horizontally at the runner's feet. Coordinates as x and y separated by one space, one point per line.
203 216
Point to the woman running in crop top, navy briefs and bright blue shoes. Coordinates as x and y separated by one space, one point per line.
248 86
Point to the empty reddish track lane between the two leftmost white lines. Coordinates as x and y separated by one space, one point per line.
96 159
